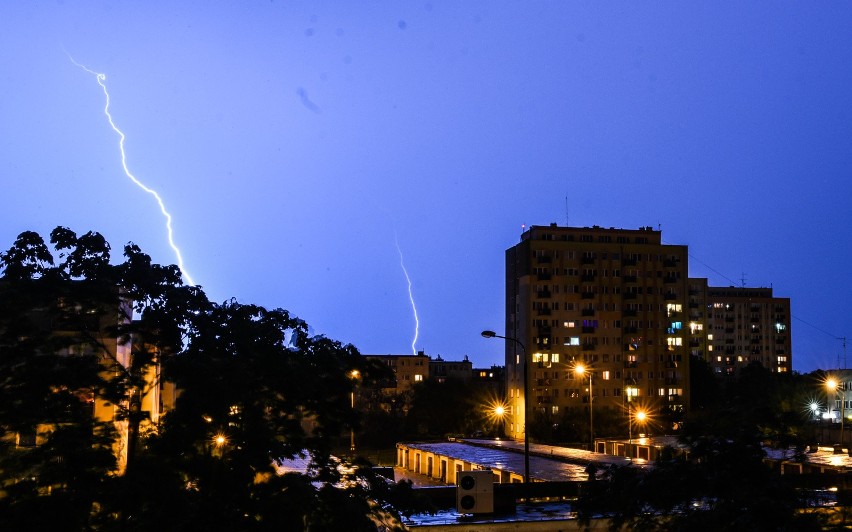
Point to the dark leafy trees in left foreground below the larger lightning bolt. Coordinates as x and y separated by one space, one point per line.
80 336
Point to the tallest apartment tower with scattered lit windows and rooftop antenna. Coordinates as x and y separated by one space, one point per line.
612 300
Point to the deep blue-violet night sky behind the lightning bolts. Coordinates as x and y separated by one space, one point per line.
295 142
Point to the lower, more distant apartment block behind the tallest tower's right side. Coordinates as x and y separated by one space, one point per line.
735 326
